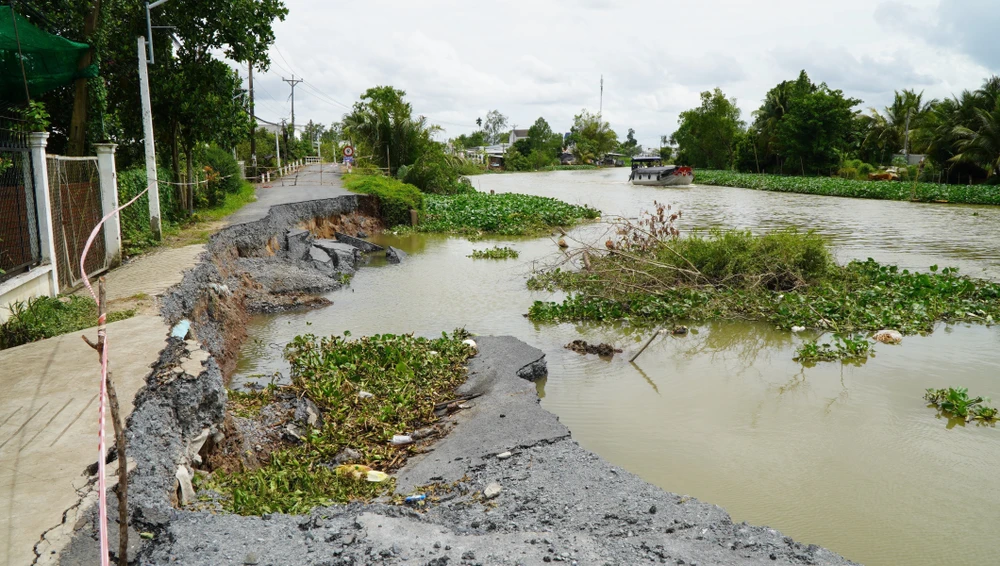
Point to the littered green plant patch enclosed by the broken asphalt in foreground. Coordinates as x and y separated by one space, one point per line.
405 376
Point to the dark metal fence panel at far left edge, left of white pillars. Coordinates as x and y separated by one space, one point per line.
20 247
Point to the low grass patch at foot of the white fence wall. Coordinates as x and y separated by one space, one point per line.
45 317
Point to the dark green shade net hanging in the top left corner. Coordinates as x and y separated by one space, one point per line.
50 61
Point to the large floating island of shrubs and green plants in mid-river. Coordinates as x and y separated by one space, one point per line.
786 279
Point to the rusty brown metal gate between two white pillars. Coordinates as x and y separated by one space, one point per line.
75 192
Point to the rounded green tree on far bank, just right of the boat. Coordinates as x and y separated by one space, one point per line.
706 136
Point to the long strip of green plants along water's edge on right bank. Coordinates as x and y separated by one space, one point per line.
835 186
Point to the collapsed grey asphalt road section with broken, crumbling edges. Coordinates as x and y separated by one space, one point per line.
508 483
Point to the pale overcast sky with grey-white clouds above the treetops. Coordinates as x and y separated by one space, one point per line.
458 60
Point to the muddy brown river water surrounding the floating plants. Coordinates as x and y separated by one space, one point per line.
846 457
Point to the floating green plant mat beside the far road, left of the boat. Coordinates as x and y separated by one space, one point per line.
508 214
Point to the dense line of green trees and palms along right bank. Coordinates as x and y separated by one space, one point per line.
804 128
